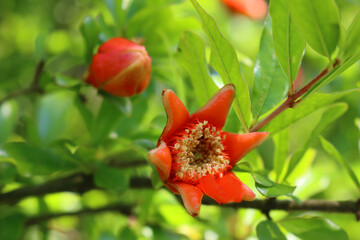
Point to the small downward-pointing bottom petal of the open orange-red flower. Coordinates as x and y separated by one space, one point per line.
191 197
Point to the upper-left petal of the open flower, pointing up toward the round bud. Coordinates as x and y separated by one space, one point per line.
177 114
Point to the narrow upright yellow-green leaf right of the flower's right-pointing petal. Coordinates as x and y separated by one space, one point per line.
281 142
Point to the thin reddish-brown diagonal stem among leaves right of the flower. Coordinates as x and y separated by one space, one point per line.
291 100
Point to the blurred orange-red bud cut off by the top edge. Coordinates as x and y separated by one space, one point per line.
255 9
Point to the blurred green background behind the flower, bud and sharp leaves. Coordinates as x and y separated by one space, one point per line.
64 34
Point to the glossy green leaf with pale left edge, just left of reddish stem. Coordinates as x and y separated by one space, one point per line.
270 82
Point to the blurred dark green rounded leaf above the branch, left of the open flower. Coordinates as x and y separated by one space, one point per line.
113 179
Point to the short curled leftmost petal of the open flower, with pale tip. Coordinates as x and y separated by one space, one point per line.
161 158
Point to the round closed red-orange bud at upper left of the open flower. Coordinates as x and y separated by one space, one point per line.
121 68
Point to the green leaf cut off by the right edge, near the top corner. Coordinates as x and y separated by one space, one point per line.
351 44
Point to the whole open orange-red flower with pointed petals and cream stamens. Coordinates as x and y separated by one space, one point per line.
194 157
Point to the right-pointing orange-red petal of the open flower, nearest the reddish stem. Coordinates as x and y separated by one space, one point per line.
238 145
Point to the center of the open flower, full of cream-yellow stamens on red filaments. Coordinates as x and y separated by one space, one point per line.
197 152
